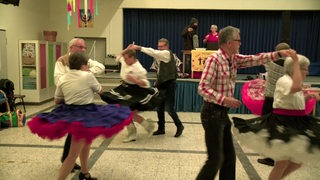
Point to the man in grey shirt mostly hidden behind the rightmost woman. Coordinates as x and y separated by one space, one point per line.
275 71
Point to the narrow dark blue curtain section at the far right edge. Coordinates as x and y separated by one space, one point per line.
305 37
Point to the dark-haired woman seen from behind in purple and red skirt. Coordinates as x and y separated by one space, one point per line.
78 116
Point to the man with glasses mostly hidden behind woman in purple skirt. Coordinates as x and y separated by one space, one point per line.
62 66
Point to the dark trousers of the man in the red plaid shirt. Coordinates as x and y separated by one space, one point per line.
219 142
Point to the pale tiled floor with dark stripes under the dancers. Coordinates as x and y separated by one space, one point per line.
25 156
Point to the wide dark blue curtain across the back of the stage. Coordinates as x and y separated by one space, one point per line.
259 32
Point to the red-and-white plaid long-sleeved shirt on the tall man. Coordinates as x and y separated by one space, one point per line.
219 75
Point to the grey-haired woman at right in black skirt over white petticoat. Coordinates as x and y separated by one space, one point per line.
287 135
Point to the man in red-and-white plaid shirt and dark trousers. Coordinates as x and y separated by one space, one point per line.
217 89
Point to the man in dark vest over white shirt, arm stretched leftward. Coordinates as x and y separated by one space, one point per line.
166 82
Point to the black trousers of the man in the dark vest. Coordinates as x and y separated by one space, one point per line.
168 88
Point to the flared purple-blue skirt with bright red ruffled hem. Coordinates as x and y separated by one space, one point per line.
81 121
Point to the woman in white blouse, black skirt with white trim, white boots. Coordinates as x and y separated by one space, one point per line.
134 91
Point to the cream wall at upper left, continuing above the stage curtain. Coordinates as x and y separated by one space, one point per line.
33 16
